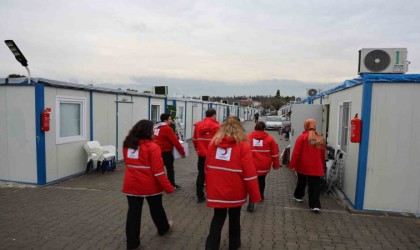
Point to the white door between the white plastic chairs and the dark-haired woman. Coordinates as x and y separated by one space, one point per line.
125 123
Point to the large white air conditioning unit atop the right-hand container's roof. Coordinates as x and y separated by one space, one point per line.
391 60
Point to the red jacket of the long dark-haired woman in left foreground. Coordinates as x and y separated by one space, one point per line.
144 171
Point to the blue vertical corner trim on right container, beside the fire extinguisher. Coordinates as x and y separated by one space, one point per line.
364 144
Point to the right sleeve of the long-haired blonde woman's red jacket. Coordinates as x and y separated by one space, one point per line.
250 173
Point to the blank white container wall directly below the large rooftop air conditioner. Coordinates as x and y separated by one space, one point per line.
393 169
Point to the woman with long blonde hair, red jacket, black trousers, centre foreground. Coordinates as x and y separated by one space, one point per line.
230 177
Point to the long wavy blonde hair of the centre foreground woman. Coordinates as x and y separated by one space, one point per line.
232 128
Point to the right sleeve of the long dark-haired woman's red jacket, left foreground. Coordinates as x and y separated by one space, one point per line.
157 167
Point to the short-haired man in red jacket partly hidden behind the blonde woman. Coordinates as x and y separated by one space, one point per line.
203 133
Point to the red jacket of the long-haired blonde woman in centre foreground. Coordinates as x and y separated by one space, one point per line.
230 174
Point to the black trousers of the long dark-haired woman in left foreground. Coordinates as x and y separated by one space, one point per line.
132 226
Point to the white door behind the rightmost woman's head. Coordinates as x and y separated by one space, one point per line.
300 113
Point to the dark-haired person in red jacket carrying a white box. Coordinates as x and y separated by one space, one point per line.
165 138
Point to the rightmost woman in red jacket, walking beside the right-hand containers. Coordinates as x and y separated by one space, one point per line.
308 161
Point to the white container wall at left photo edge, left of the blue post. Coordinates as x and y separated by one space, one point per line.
18 161
